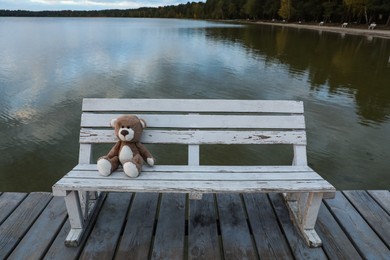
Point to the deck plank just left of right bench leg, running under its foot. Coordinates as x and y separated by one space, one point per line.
298 246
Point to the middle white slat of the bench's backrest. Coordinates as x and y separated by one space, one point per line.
203 121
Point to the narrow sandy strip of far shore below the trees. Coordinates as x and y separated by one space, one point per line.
331 28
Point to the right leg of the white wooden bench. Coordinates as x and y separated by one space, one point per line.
304 211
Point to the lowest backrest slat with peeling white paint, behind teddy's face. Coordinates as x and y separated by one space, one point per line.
88 135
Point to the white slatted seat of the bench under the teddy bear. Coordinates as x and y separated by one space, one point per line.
197 179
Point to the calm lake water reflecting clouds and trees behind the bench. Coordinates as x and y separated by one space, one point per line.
47 65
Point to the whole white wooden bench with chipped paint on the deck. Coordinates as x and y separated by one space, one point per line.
194 123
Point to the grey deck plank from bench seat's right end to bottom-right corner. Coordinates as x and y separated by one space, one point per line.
366 241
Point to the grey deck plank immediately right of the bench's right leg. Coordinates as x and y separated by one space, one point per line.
334 241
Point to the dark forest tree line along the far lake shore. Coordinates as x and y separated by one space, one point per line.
335 11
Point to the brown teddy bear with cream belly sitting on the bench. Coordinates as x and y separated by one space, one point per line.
128 151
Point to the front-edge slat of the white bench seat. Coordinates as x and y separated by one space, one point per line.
202 186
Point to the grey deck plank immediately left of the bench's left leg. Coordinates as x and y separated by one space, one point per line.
42 233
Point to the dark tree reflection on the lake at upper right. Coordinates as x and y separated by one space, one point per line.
338 65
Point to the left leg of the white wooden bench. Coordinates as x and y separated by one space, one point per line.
82 210
